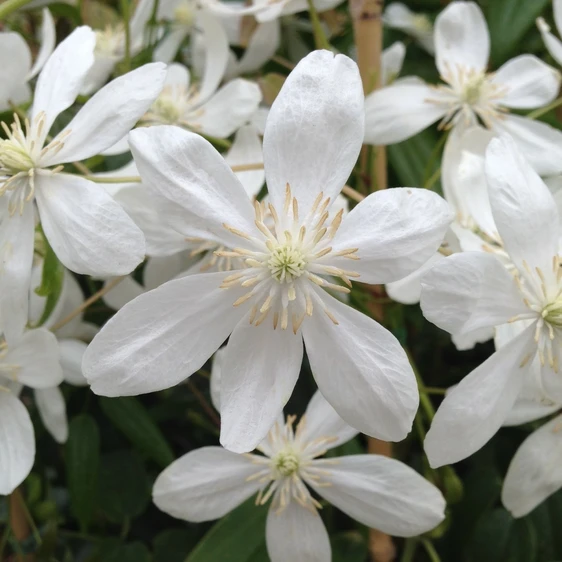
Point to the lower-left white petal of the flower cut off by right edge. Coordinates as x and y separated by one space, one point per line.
476 408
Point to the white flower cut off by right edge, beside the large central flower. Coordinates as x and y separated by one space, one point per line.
474 290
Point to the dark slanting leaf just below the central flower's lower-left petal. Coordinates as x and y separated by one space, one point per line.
131 418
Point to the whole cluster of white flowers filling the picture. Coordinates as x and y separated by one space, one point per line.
271 272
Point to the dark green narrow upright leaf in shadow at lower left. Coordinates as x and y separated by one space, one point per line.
82 466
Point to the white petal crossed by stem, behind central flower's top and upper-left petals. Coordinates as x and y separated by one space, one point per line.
247 149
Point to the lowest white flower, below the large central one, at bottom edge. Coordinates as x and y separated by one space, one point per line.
377 491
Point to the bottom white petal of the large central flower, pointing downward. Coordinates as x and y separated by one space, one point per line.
260 370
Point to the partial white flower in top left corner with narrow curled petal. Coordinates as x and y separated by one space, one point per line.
16 69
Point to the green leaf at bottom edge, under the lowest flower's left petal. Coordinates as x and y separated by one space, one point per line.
238 537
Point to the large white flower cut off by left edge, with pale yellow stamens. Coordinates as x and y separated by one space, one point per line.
87 229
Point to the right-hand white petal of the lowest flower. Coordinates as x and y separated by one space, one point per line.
384 494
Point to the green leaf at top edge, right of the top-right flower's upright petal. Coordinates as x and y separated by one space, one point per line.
509 21
